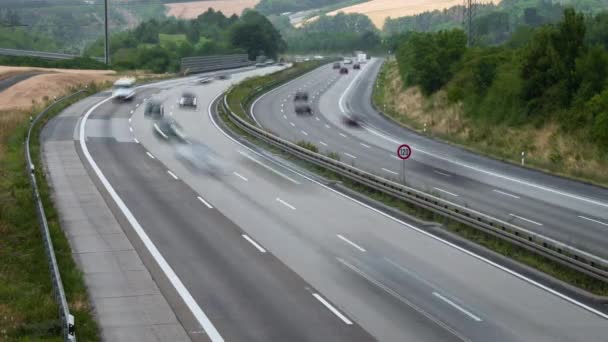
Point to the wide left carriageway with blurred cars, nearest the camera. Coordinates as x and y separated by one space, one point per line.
264 252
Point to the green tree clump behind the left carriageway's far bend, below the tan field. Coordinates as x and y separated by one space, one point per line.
159 45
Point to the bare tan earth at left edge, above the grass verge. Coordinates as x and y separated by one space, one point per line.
22 95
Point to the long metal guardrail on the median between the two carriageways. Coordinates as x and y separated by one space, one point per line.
547 247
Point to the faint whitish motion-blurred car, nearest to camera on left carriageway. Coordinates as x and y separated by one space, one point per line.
200 157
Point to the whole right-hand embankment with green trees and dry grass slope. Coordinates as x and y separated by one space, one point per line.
547 97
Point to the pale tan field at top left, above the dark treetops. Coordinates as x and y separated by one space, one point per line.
191 10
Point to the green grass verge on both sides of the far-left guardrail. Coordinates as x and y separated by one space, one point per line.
28 310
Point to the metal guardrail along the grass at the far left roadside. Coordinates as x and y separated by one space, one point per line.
66 318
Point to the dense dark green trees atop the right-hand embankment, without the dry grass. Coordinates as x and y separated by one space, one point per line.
560 74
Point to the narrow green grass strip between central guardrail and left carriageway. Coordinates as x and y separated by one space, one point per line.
521 255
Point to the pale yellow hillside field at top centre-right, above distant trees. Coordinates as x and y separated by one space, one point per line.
379 10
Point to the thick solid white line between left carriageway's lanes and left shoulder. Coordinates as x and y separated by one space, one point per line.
181 289
